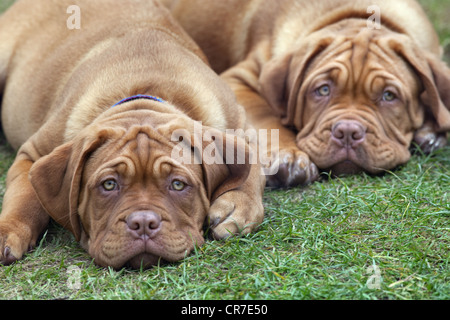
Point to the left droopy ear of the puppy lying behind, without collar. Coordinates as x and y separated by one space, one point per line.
282 76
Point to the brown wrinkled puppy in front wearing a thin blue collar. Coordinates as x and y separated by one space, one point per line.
102 115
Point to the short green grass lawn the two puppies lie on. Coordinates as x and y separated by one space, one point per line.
358 237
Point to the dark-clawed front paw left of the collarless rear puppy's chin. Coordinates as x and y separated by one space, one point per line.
289 168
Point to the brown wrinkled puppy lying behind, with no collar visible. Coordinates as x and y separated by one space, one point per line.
348 84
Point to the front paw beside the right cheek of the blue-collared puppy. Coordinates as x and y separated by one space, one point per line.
234 213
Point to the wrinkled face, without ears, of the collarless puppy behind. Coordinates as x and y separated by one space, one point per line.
360 110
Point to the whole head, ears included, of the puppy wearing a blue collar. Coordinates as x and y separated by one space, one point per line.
121 193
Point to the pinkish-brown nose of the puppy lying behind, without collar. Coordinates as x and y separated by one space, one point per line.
348 133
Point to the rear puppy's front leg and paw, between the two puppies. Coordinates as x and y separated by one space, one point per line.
288 165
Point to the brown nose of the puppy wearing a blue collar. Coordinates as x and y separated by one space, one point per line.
143 224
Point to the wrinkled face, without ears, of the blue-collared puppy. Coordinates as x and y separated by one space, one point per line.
137 205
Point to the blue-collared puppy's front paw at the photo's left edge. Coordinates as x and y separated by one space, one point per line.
14 243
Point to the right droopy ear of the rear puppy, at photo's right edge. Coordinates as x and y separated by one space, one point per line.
435 77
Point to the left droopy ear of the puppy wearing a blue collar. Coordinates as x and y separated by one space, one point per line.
56 179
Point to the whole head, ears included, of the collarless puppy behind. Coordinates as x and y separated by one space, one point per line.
357 96
